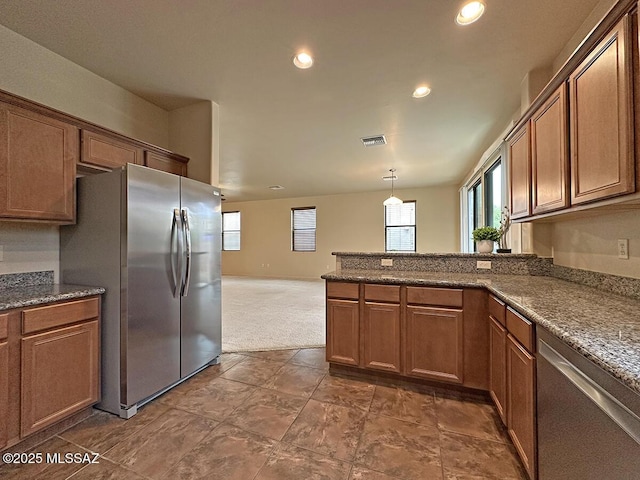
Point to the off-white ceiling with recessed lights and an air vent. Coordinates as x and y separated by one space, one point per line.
302 128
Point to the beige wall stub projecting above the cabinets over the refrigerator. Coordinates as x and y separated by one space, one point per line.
193 132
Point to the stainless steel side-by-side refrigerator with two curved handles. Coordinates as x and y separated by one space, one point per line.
152 239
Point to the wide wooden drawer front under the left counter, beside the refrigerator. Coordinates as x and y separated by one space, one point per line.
50 316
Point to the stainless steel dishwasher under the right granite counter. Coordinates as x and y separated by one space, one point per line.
588 421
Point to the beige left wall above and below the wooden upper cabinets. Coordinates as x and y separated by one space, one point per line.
33 72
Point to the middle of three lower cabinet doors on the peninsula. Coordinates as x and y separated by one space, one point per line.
381 332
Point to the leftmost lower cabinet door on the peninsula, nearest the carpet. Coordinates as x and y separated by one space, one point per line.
343 332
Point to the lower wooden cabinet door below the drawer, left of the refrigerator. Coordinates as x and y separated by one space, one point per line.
60 375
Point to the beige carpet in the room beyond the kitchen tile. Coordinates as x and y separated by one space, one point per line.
272 314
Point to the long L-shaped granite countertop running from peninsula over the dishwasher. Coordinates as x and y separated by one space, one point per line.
604 327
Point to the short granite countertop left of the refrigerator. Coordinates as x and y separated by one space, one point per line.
19 297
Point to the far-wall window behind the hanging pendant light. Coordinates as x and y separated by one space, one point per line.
400 227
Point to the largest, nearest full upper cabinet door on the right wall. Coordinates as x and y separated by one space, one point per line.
601 121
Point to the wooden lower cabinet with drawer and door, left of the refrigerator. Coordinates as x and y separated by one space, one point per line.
49 365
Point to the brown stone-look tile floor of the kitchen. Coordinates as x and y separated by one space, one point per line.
279 415
